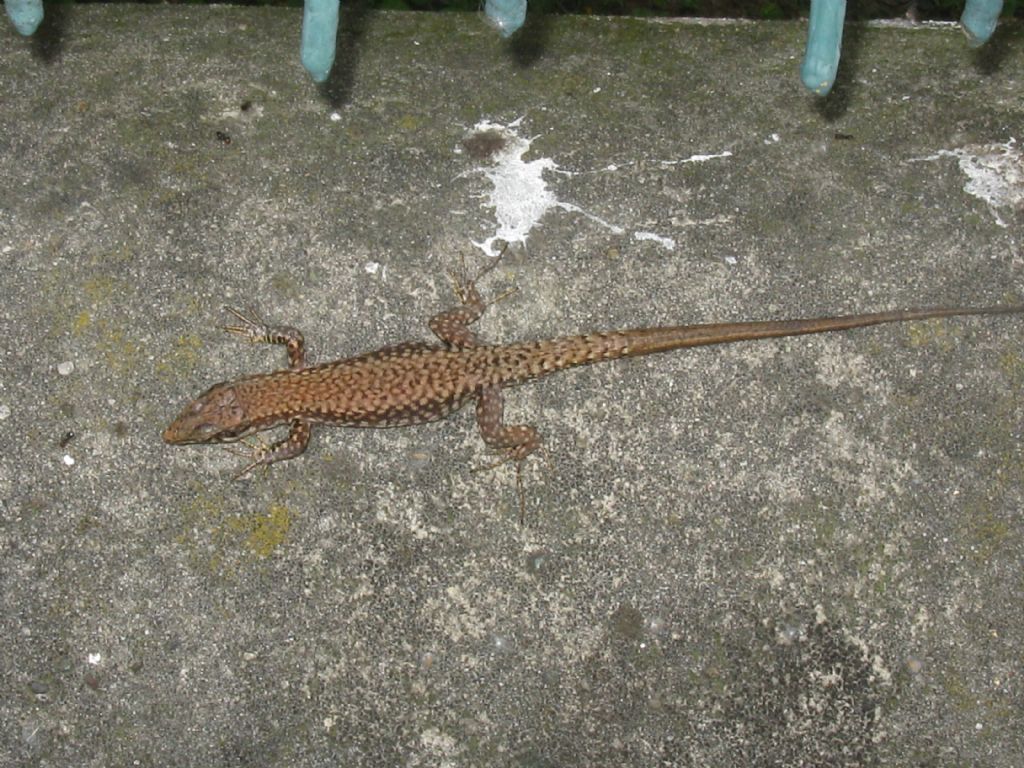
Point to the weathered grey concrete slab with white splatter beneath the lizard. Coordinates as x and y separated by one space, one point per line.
802 552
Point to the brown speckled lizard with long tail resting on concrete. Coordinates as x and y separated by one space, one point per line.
416 383
